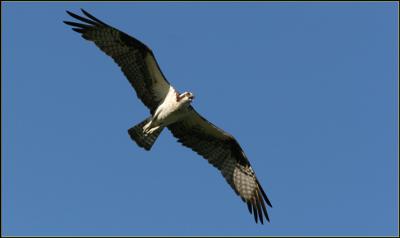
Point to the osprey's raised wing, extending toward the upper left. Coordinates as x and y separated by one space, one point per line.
135 59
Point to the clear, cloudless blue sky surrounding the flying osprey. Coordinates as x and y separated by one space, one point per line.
310 90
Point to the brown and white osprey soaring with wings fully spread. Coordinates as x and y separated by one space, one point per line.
171 109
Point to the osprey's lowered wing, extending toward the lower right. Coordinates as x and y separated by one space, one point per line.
225 153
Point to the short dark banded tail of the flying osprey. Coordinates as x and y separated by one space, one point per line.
145 140
